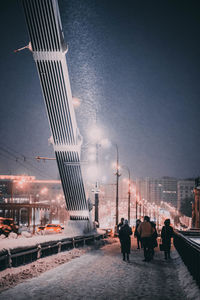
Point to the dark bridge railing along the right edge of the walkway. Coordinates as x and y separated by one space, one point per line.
189 252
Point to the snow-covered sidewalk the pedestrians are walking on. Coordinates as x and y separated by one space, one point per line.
101 274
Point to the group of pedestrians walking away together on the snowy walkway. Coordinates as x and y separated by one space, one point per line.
146 235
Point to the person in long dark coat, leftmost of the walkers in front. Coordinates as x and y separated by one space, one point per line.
124 235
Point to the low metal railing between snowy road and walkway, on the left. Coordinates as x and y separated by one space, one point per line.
21 256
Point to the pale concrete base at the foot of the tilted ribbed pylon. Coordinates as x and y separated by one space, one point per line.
78 228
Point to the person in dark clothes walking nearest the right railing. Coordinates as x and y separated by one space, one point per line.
166 234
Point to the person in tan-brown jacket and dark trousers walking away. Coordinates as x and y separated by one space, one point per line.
146 231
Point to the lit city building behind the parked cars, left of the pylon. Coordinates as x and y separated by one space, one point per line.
30 201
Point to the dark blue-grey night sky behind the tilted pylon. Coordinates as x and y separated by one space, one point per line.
135 62
